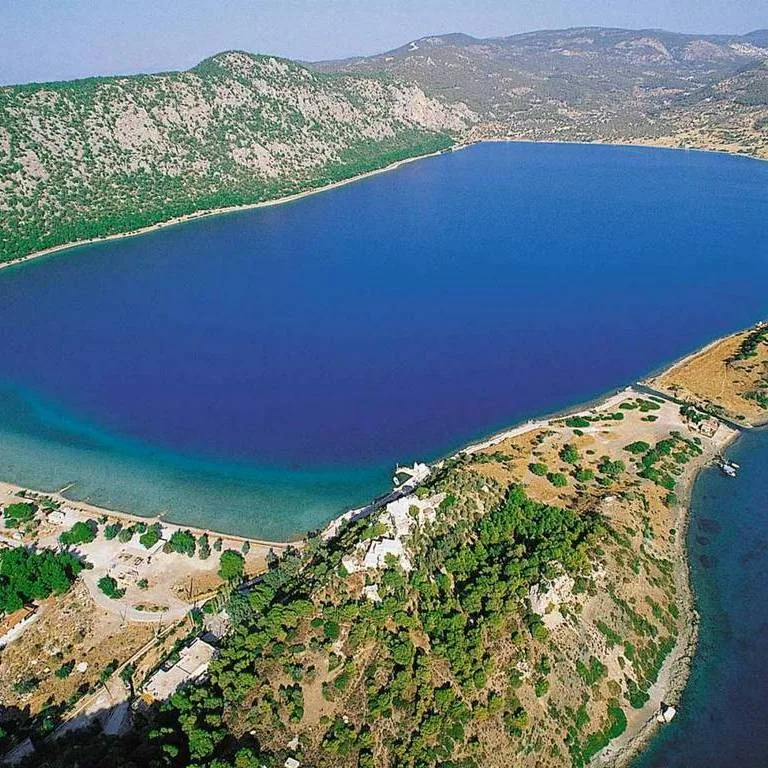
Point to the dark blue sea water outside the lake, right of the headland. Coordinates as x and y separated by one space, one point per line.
722 717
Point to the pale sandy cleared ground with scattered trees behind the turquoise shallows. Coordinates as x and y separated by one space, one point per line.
61 654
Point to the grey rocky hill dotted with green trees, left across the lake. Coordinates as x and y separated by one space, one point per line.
105 155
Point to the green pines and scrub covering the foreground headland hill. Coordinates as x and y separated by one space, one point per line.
446 651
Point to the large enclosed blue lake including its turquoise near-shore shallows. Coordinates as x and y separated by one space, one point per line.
262 371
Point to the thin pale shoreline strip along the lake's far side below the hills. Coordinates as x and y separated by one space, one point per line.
455 147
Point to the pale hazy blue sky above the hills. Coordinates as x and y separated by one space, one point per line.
61 39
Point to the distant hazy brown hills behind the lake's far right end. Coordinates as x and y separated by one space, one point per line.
590 84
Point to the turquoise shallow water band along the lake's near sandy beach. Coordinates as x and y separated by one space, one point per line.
42 449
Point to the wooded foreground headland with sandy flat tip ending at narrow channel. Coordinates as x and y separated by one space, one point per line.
527 604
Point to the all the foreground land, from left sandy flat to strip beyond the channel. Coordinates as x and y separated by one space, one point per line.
524 601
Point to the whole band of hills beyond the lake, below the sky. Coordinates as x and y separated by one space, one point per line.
95 157
